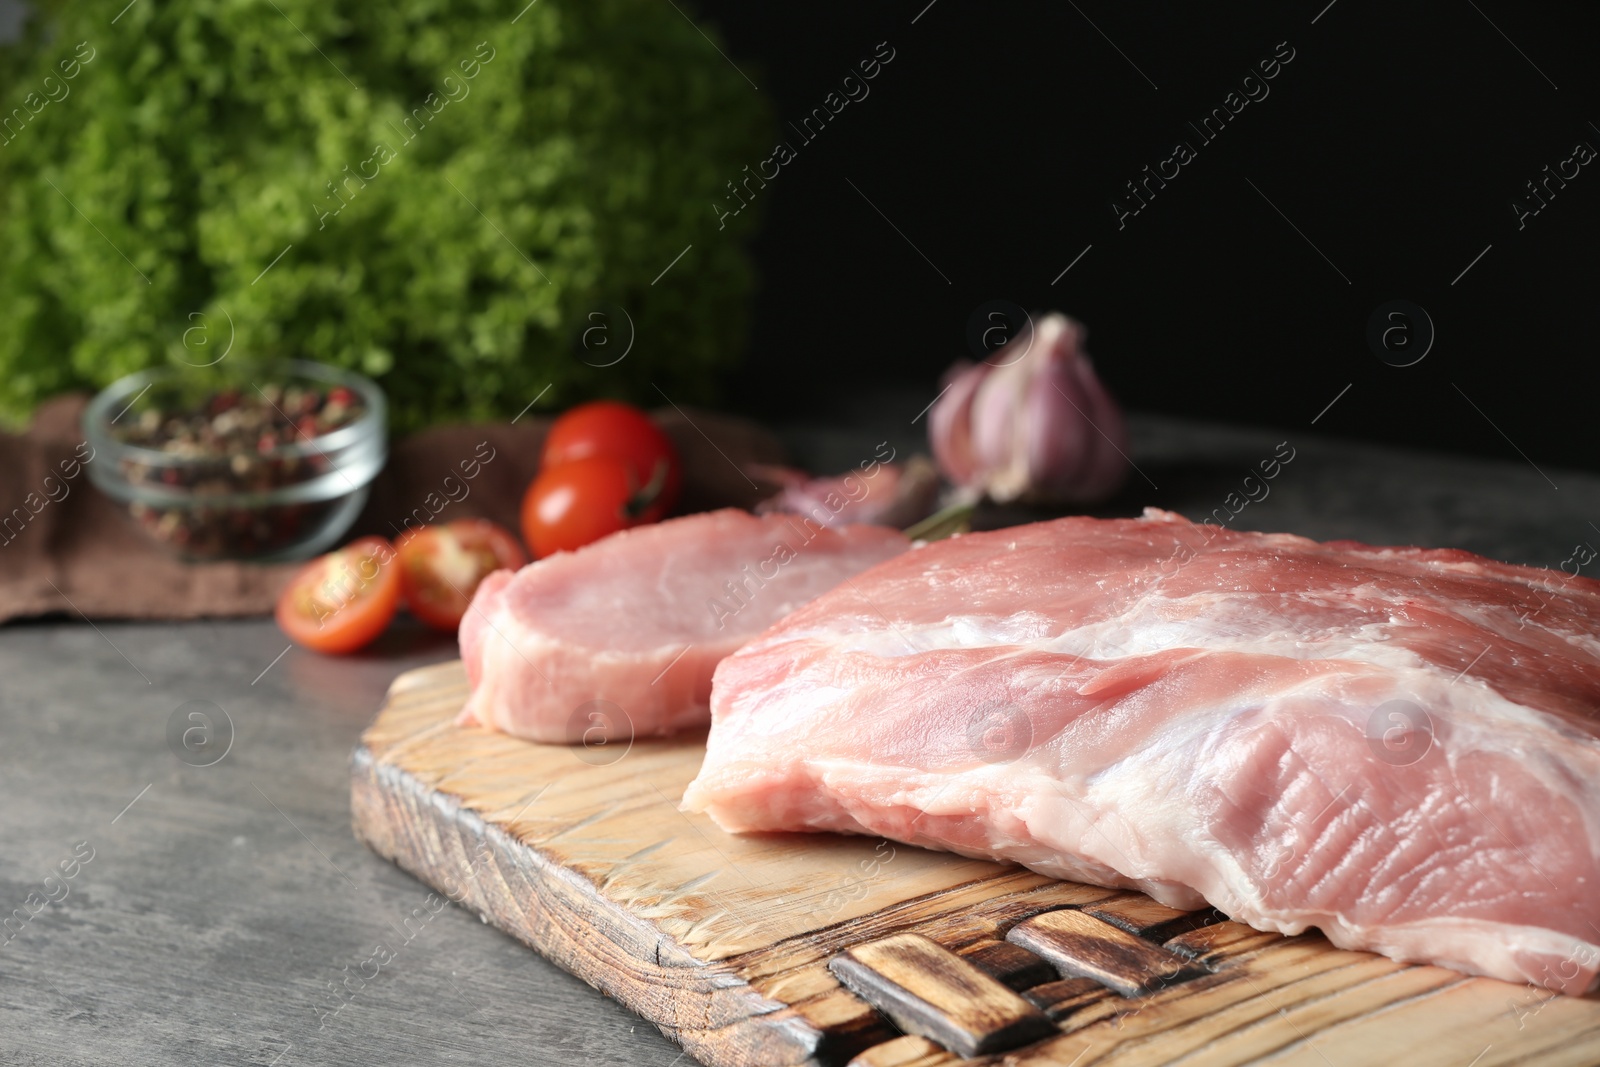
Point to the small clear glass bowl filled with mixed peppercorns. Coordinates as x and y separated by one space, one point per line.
266 462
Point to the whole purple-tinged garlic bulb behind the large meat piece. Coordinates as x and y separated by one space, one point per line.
1033 423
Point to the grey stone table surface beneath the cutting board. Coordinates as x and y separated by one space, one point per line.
222 901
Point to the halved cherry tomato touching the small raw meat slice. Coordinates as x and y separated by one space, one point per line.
441 567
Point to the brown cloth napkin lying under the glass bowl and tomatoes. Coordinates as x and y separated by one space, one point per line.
66 548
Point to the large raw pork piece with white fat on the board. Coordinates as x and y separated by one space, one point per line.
1396 746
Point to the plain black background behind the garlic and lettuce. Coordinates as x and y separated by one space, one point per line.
999 135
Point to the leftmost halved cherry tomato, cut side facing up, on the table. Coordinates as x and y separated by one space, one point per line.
345 599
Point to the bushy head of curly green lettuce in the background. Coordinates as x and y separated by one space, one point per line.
442 194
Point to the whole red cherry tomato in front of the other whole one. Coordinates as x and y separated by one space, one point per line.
582 502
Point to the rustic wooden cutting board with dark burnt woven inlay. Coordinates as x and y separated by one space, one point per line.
823 949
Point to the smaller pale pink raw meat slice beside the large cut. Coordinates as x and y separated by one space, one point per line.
620 639
